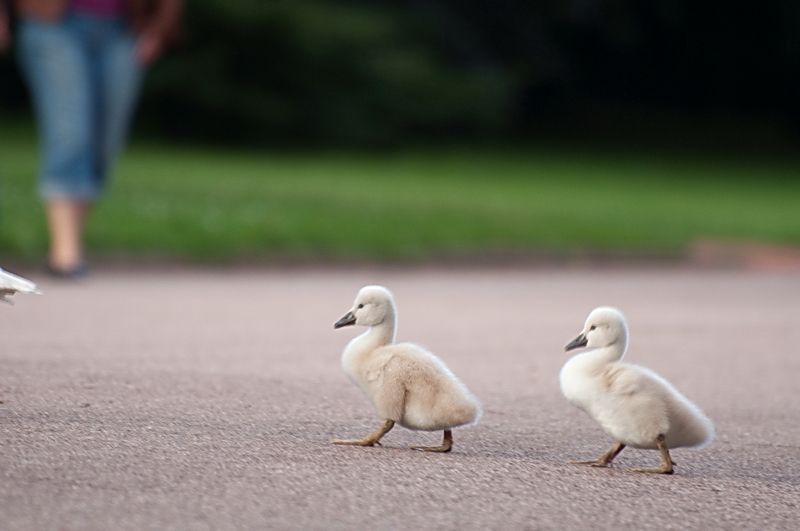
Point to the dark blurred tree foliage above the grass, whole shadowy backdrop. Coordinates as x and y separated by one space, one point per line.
381 72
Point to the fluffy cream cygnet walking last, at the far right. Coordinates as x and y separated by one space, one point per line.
634 405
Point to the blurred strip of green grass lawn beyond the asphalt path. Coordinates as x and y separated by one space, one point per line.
217 205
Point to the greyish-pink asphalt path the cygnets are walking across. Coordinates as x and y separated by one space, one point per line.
207 400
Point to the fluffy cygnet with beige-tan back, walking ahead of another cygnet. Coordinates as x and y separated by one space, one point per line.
406 384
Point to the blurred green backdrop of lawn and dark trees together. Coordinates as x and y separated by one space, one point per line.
412 130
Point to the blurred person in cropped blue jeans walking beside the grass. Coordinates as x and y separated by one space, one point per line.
83 61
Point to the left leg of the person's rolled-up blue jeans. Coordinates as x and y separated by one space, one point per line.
57 71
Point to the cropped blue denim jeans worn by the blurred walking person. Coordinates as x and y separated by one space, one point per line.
84 82
